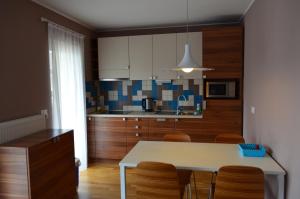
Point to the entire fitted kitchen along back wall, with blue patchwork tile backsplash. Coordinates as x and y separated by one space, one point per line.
170 95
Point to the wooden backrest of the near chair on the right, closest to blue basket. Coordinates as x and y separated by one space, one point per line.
239 182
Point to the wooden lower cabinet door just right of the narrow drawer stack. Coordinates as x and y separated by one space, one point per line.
158 127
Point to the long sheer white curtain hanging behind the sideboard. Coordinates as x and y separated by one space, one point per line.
66 49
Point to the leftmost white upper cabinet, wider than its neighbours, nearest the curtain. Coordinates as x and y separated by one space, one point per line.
113 55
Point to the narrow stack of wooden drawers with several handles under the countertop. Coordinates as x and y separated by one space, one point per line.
136 130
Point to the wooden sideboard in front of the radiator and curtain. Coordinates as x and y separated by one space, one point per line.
38 166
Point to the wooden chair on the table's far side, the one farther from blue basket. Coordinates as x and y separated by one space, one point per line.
184 175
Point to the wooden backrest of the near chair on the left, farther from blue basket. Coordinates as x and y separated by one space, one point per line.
156 180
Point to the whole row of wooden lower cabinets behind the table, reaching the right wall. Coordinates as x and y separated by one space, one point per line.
113 138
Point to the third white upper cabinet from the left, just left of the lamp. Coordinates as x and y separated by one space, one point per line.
164 56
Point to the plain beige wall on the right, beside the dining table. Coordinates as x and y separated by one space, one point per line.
272 84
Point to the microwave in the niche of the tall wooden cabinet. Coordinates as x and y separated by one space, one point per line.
221 88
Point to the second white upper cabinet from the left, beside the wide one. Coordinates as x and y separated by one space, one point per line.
140 53
